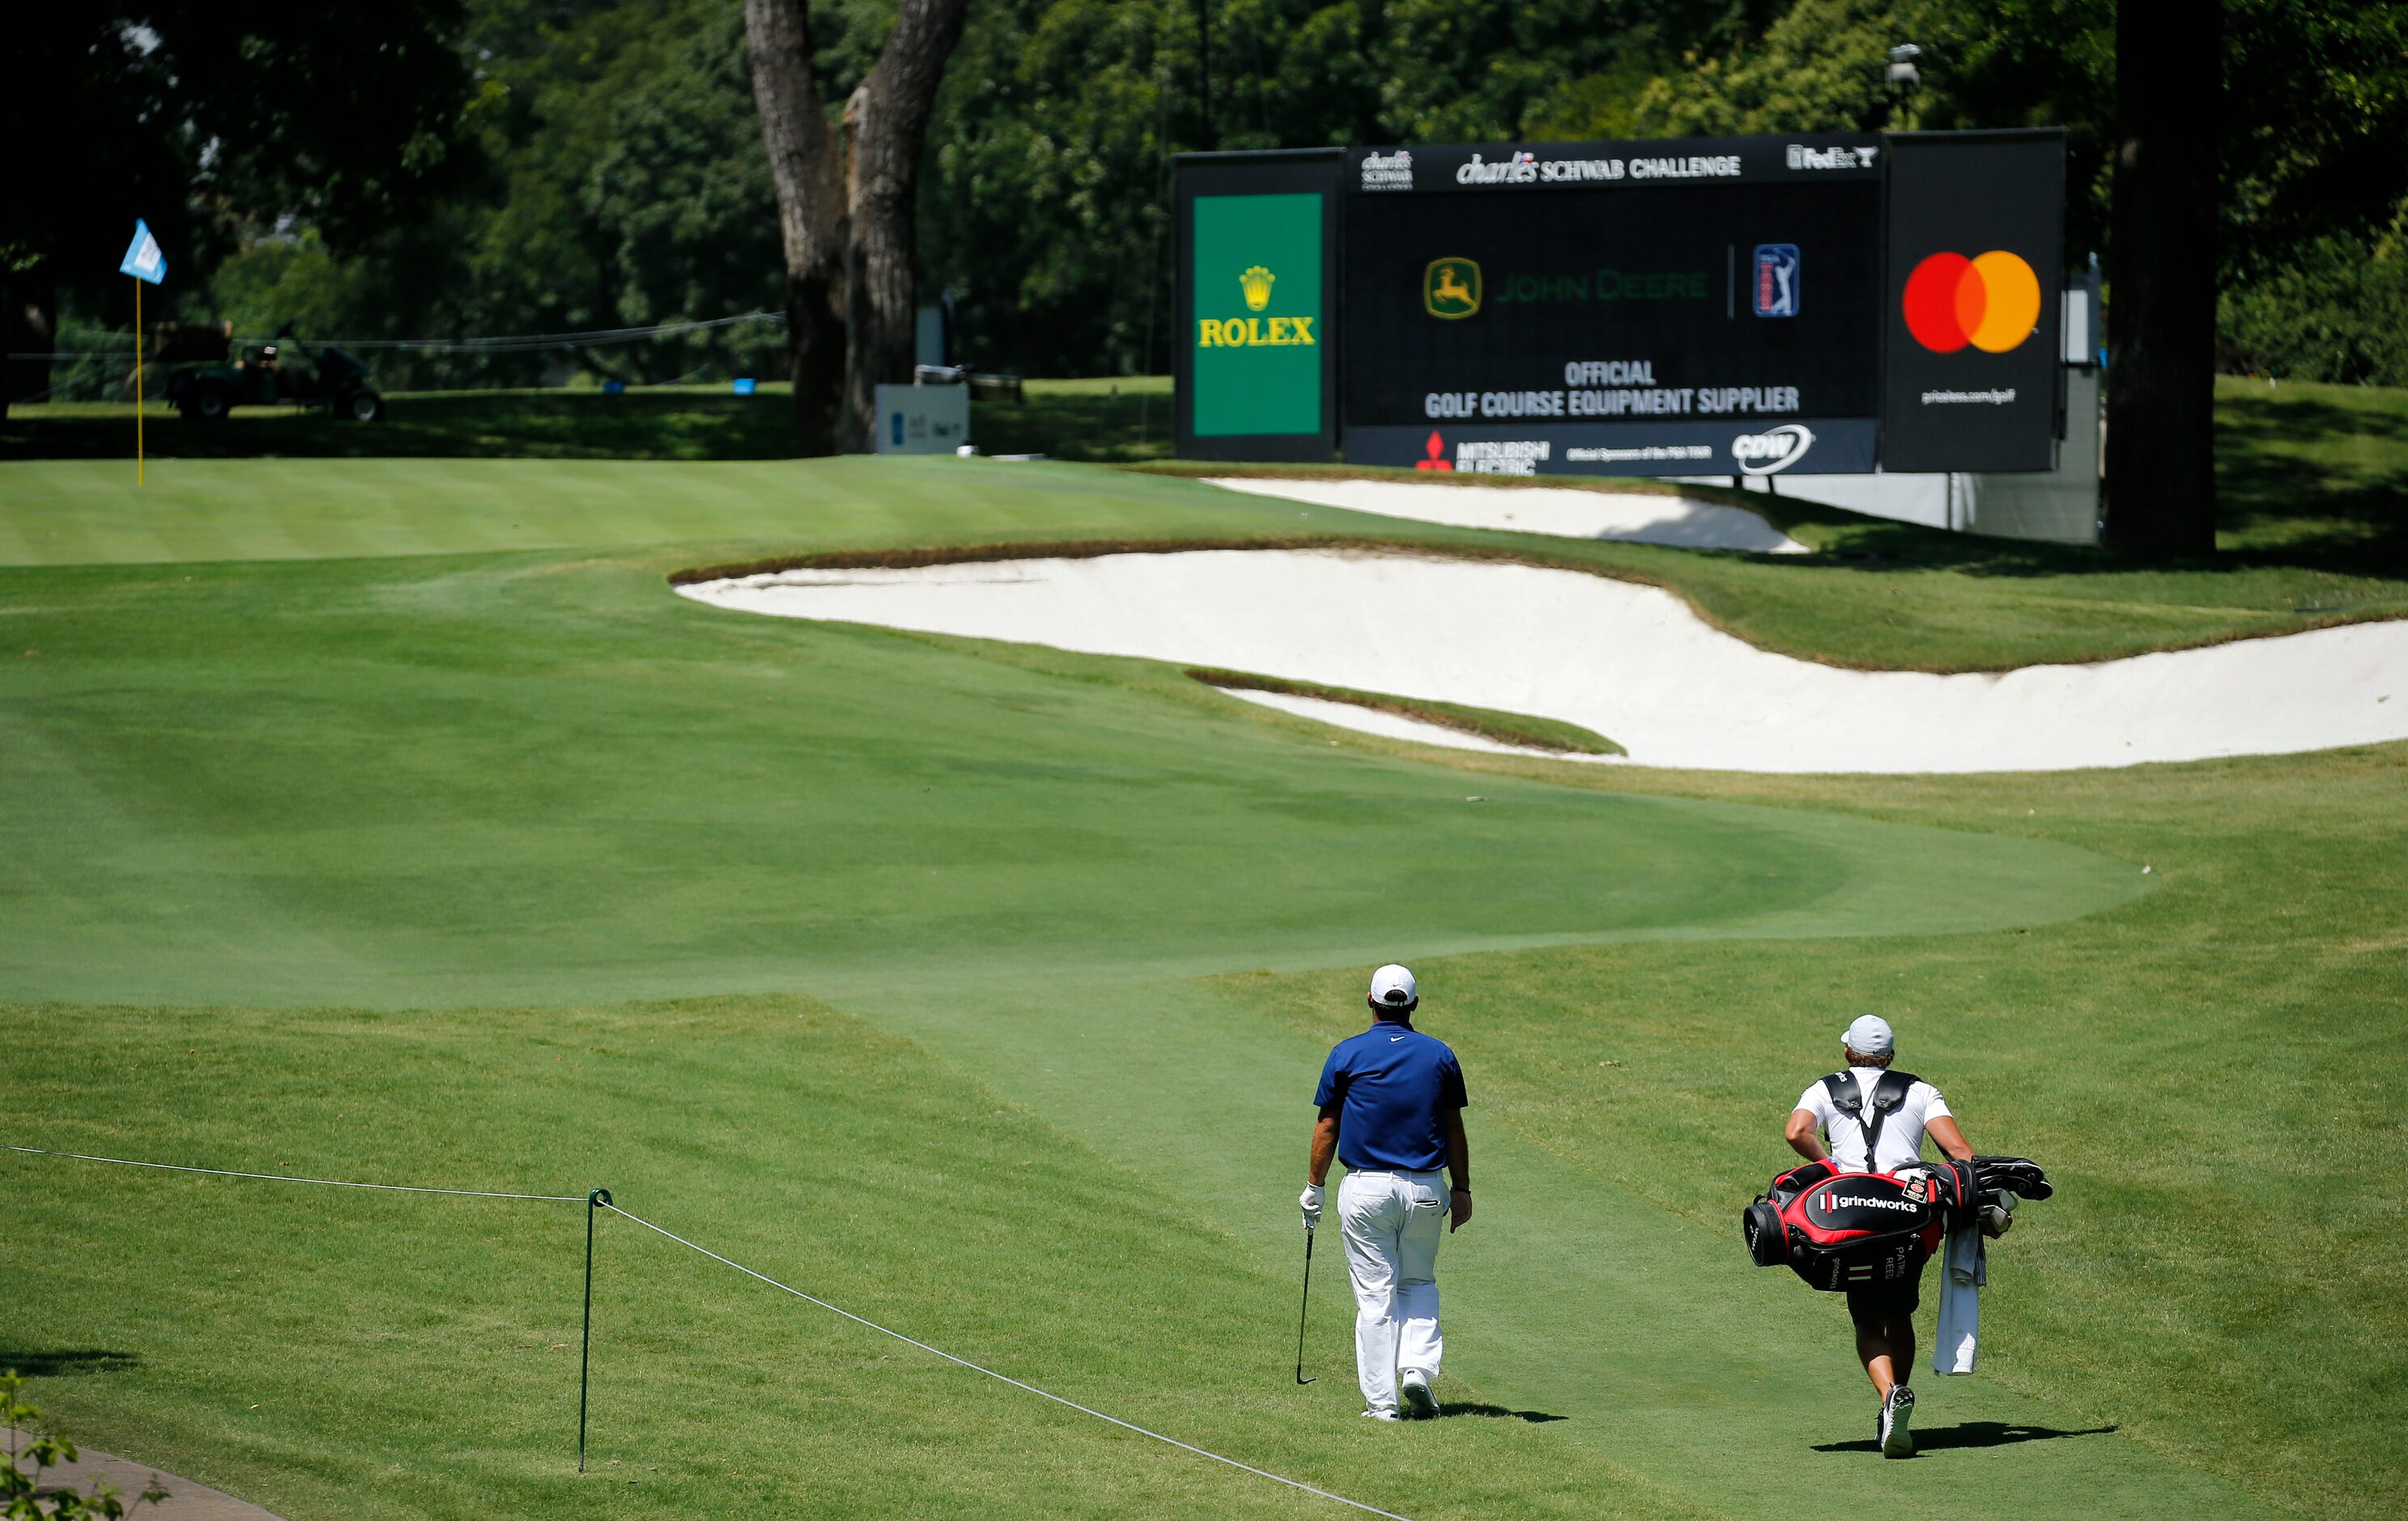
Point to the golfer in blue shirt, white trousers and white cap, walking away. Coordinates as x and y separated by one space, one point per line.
1393 1112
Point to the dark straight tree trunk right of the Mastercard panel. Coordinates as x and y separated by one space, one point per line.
2161 283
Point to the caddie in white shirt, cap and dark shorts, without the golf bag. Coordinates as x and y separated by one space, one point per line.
1877 1120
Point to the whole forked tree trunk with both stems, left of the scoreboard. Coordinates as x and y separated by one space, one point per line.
849 233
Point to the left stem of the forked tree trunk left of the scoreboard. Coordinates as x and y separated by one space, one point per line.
810 213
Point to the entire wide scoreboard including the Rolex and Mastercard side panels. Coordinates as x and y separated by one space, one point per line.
1817 305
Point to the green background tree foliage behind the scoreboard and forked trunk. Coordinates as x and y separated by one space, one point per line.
598 163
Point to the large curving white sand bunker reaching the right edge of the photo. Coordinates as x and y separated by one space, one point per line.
1627 662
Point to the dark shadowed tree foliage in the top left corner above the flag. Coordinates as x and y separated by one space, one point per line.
196 114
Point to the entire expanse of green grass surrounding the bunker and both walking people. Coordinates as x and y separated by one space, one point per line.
396 821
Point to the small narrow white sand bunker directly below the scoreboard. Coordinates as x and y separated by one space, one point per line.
1559 512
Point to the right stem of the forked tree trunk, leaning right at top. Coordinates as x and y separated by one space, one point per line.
890 127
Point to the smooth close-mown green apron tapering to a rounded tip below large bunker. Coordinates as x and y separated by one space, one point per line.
536 782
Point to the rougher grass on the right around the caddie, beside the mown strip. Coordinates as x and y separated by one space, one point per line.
2221 1291
